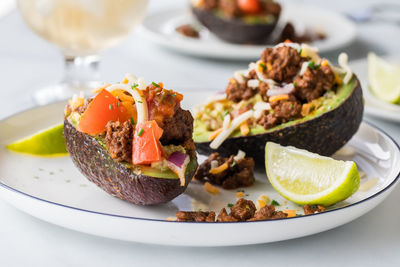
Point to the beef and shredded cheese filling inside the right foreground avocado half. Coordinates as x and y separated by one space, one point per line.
290 81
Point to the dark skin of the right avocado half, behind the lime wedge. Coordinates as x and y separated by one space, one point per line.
323 135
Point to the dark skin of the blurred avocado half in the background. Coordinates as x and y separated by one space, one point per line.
234 30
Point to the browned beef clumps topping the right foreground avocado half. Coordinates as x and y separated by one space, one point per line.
283 65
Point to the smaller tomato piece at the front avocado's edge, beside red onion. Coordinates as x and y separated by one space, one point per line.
146 147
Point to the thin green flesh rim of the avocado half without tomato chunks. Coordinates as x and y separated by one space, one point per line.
201 133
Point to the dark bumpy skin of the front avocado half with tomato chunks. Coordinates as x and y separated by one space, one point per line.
94 162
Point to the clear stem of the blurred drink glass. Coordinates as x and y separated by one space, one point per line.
81 73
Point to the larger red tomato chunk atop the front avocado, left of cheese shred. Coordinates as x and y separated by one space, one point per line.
103 108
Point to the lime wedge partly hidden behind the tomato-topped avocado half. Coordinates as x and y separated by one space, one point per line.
49 142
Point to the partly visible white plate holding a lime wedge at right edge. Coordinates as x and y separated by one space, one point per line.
374 106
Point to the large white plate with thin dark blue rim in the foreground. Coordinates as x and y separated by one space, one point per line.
53 190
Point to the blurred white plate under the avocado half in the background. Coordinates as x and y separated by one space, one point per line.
160 29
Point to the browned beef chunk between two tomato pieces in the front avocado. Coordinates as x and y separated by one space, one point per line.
119 140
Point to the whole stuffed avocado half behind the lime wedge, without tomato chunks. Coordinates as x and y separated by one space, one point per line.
290 96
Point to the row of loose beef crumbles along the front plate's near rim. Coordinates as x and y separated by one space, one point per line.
243 210
